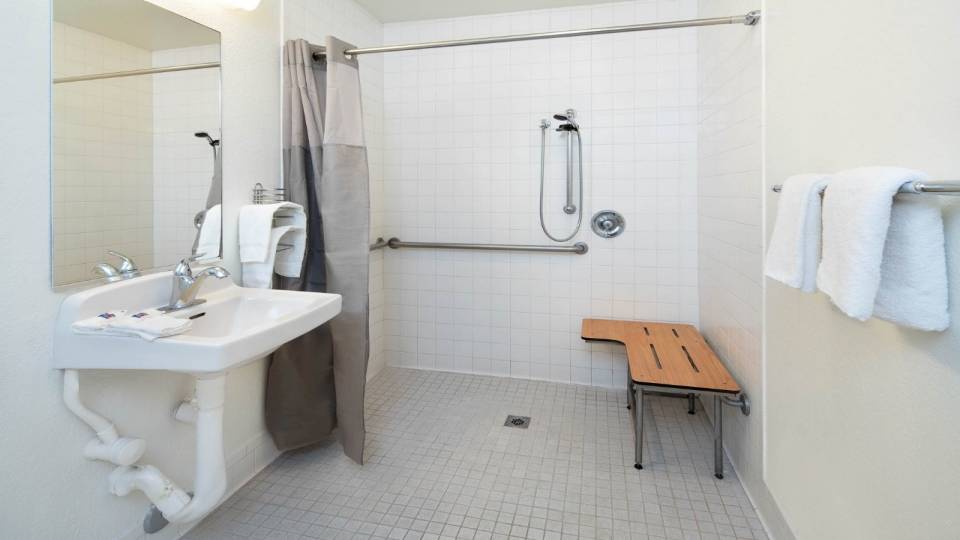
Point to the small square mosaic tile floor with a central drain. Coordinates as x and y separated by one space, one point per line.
440 464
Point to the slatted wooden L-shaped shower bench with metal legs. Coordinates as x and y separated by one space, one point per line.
669 356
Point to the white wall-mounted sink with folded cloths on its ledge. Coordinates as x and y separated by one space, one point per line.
234 326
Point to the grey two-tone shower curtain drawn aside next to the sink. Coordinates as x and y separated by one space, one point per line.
315 384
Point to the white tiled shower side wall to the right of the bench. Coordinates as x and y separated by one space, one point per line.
730 220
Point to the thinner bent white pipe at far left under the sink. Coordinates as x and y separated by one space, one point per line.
109 445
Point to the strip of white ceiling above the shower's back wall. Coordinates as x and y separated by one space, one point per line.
413 10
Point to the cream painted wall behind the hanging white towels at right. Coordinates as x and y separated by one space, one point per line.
862 433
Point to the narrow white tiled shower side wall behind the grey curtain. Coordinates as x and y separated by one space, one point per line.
313 20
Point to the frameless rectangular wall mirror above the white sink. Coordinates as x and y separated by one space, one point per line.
136 138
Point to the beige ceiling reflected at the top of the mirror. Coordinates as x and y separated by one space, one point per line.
135 22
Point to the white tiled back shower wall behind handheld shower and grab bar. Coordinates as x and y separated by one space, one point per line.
461 164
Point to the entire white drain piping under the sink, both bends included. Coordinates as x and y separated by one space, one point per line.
210 478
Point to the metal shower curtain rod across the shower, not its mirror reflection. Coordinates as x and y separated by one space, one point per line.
749 19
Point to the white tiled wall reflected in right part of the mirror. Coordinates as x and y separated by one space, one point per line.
183 103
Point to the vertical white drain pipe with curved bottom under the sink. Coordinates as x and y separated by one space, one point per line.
210 479
